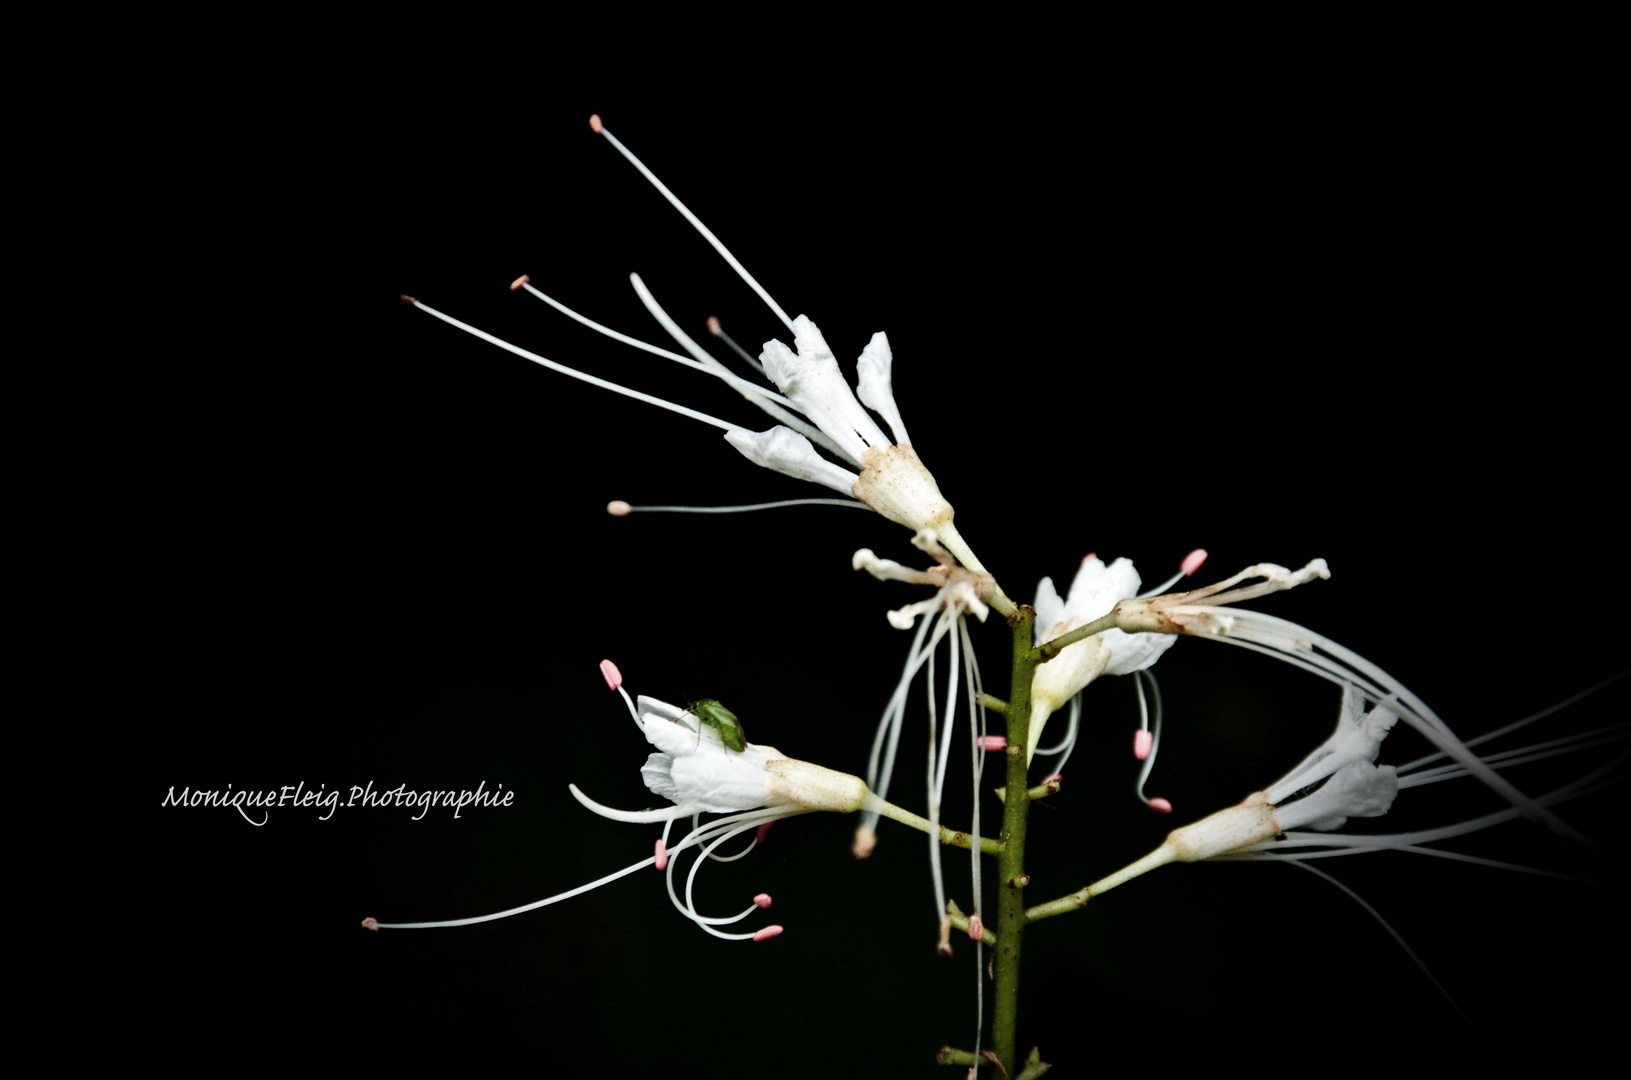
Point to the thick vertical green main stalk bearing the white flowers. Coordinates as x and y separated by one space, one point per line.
1010 864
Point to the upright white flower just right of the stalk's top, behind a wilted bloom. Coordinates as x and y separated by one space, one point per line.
1095 593
